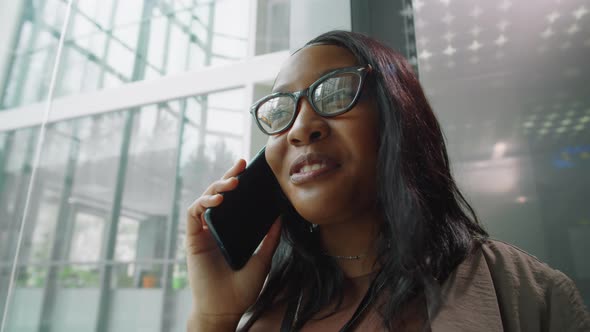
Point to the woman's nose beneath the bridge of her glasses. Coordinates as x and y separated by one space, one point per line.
308 126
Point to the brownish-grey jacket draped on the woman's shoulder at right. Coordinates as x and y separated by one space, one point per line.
502 288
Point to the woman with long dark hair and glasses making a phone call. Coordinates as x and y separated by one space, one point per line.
383 239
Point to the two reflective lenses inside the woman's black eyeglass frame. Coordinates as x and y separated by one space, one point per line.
330 97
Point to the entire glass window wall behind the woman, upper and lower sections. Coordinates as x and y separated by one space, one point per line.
102 243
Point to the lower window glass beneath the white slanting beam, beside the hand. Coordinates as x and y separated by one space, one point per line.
102 210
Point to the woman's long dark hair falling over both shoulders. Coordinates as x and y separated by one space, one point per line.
428 228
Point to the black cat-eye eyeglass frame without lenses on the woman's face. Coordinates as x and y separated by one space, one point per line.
360 71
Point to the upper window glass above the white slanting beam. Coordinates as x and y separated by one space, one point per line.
112 42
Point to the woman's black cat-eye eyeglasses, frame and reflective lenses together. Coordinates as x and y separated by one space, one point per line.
332 94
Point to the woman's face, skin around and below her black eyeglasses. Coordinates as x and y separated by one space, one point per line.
344 147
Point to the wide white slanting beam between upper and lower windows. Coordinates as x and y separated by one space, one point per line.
252 70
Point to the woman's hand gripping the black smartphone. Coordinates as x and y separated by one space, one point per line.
220 294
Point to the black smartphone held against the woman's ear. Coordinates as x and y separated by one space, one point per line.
246 213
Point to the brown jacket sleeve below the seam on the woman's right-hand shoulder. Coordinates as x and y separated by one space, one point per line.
526 287
